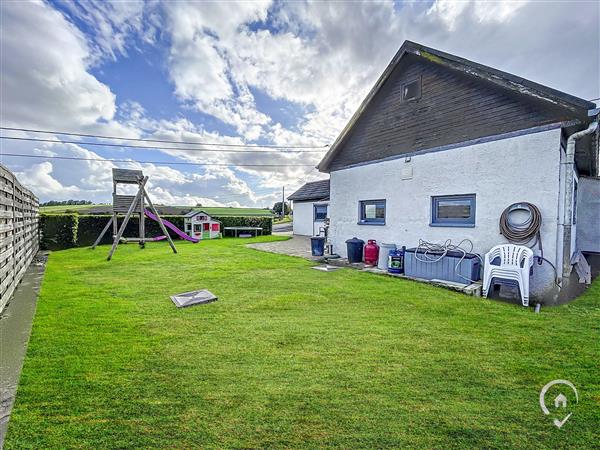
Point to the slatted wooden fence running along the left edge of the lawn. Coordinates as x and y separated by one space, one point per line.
19 234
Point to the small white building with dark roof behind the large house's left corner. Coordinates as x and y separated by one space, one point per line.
311 208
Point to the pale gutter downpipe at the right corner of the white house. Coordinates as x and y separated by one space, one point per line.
567 220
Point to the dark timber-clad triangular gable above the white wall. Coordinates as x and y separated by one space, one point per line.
453 107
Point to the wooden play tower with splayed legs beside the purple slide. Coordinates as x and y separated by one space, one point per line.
129 205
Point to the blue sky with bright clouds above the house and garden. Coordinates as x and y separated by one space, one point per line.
270 73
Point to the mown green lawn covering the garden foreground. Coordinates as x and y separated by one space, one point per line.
290 357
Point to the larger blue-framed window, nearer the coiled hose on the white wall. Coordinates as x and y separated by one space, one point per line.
453 211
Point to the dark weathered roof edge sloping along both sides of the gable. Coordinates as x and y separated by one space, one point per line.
578 107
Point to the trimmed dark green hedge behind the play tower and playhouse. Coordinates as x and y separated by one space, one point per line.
72 230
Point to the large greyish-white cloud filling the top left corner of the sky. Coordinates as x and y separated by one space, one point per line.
44 80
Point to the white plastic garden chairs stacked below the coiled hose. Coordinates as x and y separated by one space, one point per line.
515 263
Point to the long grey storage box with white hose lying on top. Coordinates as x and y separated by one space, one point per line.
444 269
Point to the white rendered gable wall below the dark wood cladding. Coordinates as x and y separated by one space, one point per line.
522 168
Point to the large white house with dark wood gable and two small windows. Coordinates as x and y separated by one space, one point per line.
441 146
